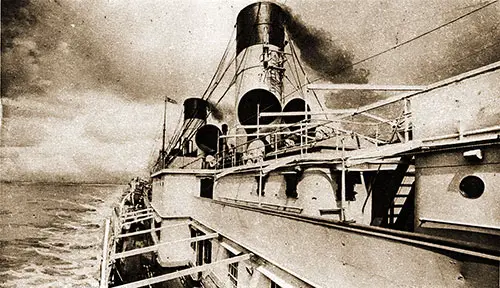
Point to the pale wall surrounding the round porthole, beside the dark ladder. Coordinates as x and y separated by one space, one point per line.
438 195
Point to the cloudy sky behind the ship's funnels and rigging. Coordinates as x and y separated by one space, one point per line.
83 81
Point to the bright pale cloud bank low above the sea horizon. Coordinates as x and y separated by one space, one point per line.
109 140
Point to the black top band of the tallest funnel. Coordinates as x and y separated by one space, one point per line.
259 23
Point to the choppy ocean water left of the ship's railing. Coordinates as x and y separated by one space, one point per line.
51 234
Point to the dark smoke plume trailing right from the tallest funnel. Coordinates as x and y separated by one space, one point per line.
321 53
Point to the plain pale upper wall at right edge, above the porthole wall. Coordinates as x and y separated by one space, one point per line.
469 104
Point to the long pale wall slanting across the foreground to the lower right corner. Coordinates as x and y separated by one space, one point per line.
333 257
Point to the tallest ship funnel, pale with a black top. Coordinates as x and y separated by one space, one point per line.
259 45
